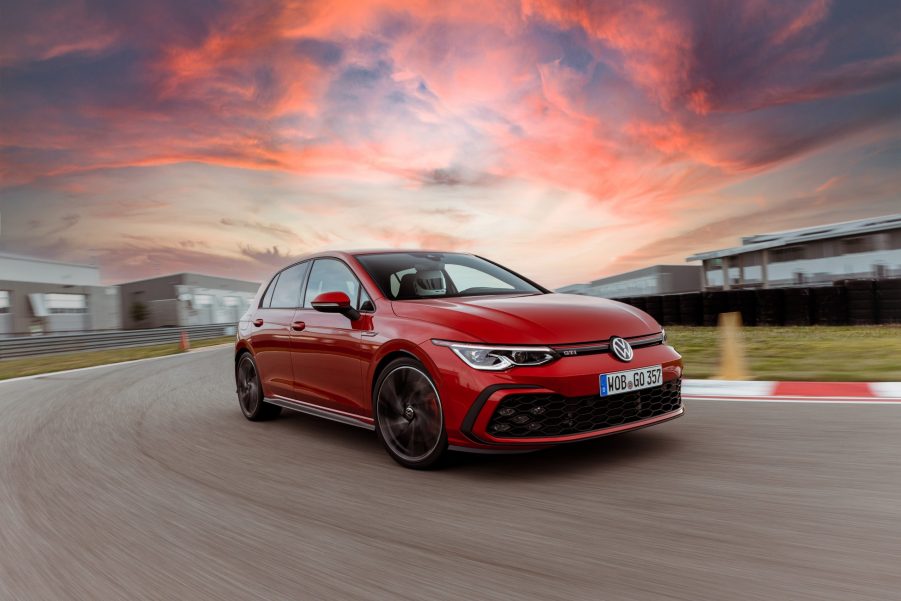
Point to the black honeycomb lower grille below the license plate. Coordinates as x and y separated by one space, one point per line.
533 415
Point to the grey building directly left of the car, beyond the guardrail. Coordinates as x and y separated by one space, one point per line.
184 299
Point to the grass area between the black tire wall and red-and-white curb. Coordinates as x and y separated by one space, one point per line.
817 353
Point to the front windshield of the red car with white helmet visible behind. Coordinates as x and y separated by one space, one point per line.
406 276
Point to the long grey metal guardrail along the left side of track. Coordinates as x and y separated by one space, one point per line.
48 344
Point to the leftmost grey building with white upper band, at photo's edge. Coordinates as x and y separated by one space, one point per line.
39 296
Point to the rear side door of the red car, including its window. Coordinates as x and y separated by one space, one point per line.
272 338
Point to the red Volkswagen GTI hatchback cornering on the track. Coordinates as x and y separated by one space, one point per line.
440 351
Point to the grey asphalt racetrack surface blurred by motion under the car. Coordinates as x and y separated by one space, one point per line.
144 481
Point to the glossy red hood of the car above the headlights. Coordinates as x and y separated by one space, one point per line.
532 319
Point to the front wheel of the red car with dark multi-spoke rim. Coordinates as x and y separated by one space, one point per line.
409 417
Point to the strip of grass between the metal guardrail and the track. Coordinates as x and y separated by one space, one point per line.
29 366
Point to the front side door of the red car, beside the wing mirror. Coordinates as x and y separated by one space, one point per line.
328 367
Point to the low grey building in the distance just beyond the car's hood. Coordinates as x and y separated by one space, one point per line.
659 279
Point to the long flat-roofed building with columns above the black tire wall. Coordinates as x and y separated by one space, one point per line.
865 248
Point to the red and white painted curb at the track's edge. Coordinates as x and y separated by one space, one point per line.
793 392
